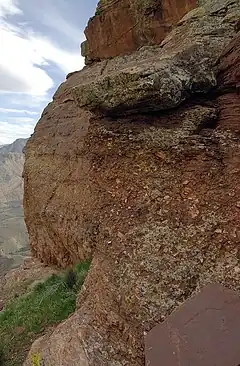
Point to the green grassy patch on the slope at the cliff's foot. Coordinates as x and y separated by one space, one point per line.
28 316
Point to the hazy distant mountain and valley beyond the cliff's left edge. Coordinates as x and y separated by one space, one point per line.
13 234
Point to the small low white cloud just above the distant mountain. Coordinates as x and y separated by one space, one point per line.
10 131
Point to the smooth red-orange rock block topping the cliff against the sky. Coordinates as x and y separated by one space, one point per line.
121 27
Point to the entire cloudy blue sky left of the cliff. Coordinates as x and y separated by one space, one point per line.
39 44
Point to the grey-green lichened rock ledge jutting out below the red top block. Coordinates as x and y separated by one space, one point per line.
157 78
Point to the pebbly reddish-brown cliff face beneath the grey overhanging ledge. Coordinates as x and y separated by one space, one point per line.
158 199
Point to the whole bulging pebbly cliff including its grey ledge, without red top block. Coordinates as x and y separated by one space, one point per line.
135 163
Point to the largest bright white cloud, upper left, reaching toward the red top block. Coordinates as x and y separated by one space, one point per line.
24 56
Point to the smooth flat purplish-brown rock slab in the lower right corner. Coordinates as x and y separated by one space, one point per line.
191 335
